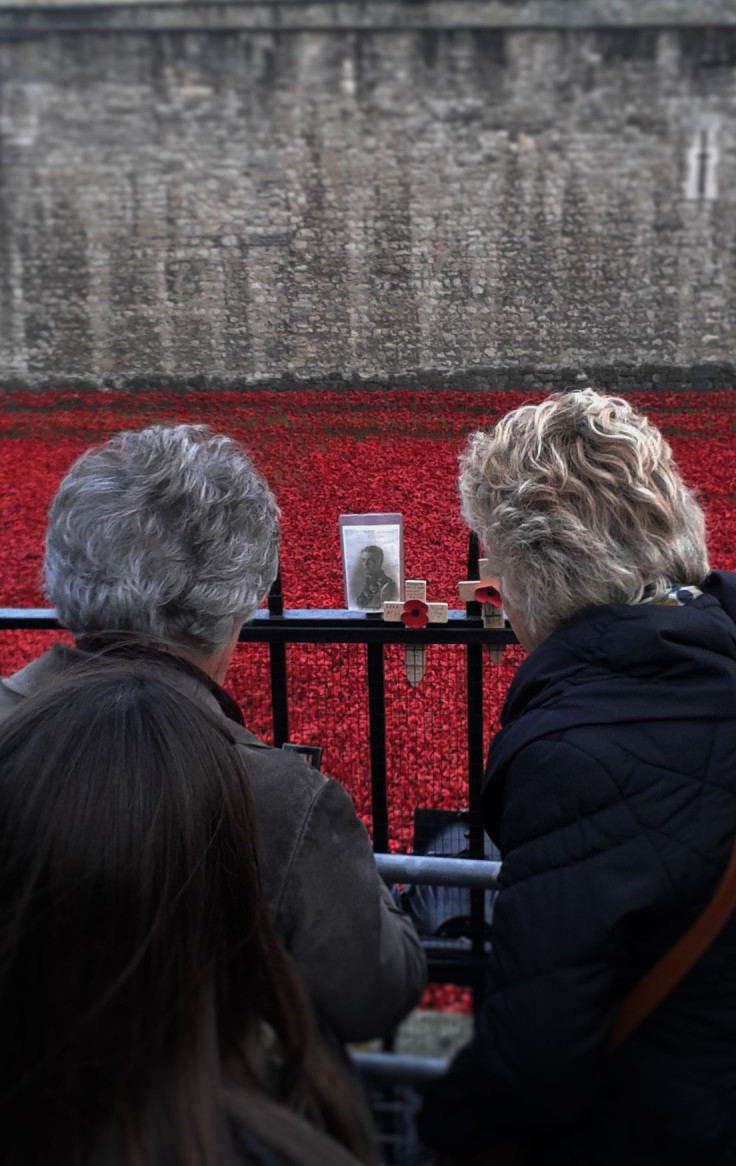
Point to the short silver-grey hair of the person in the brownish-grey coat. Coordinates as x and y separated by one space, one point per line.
169 532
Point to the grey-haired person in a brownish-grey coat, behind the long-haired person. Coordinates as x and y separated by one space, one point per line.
160 545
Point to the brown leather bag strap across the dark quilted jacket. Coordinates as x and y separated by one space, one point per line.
669 972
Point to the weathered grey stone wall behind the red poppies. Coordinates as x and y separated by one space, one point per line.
502 206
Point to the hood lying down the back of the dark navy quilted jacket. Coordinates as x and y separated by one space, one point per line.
620 664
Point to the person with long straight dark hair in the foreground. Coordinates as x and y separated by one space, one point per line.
148 1009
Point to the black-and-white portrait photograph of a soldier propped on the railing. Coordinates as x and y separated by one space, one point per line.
373 547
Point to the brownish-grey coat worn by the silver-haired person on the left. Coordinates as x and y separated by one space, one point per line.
359 954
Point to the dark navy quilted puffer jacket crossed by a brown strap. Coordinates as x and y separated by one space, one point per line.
612 792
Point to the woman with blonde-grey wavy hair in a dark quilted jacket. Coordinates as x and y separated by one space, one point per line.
612 793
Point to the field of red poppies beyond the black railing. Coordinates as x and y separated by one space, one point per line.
327 454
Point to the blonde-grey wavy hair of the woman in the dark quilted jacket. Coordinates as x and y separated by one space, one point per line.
579 503
